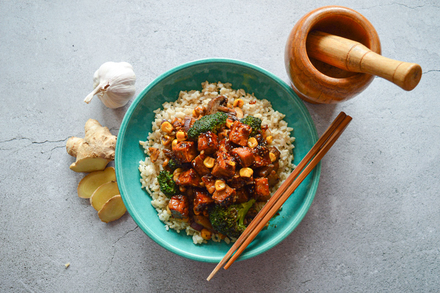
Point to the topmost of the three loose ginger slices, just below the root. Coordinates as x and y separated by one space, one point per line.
92 181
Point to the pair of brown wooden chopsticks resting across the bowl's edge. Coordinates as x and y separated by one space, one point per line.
307 164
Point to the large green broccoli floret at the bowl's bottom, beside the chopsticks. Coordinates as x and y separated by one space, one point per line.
229 220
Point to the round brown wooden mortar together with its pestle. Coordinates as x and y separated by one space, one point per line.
333 53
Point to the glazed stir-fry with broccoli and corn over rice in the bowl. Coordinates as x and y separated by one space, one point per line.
216 167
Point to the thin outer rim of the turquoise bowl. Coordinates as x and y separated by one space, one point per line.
127 117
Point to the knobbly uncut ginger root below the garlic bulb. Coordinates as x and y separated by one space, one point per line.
94 151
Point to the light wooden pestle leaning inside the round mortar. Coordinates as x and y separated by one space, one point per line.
353 56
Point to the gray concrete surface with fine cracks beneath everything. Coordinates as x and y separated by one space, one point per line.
373 226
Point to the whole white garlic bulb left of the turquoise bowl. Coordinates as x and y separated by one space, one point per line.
113 84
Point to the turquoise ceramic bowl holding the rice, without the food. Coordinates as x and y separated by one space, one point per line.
137 124
